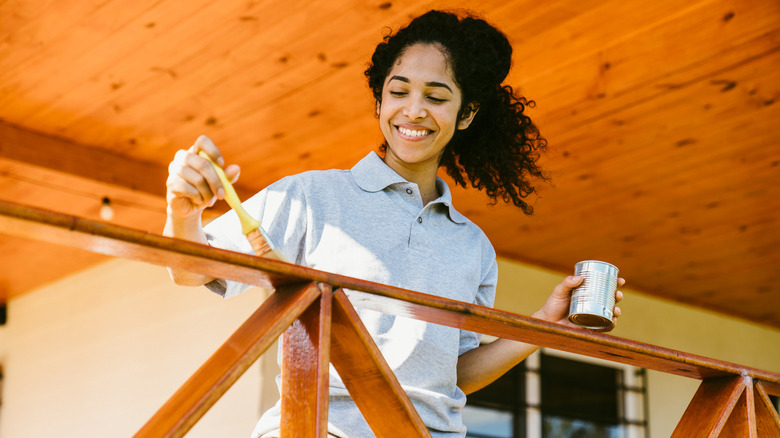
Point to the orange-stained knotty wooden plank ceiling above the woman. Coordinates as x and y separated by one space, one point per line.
661 118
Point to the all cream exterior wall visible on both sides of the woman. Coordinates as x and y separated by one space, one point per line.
98 353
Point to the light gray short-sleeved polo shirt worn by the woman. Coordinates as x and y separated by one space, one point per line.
370 223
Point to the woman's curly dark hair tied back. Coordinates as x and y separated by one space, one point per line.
499 151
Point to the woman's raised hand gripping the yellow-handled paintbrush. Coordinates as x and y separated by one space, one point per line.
192 183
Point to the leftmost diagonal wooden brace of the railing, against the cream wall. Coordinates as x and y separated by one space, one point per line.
229 362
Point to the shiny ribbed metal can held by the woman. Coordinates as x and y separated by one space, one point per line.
593 300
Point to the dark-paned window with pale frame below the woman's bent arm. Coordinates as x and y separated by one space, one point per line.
559 395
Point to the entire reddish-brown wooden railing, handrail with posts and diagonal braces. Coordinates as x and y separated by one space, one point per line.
320 326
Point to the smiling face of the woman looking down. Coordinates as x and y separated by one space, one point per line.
418 114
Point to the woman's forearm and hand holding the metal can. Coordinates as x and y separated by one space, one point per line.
481 366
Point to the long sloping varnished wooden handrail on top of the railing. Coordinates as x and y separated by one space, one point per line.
127 243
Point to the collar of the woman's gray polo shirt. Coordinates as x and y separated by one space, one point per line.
372 175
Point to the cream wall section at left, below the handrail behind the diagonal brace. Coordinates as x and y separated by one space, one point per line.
95 355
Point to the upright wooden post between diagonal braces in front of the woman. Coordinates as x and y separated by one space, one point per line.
305 361
